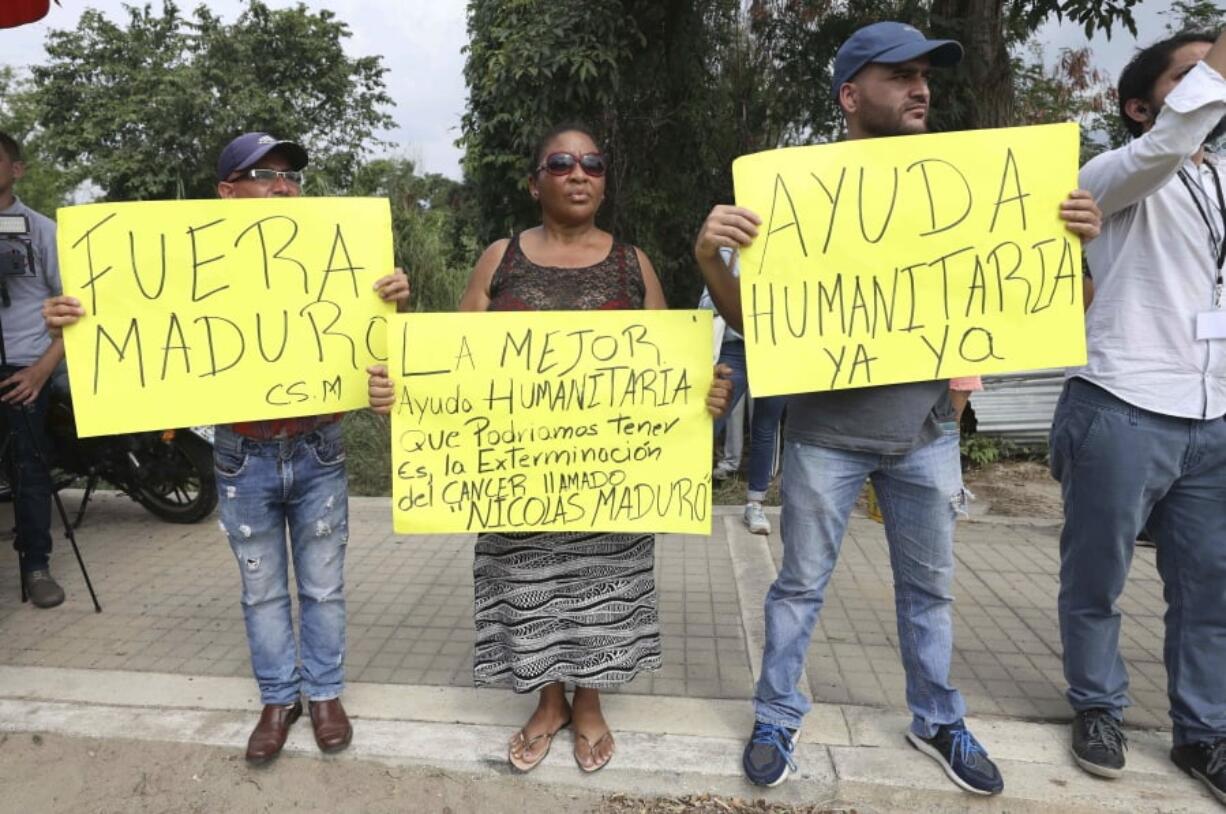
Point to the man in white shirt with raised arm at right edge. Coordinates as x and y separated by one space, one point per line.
1138 439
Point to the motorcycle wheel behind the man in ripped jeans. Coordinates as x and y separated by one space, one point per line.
186 491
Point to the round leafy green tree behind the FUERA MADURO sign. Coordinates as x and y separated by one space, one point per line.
142 108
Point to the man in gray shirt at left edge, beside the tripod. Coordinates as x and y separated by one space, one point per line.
31 357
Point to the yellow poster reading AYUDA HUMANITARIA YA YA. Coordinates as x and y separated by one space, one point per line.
910 259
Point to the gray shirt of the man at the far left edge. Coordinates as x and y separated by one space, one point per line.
25 335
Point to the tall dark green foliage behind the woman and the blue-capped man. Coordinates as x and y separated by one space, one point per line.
679 90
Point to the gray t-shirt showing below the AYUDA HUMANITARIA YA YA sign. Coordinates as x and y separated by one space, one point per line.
891 420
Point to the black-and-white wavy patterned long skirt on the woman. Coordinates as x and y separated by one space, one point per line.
577 609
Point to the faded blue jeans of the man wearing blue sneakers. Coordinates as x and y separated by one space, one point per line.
921 495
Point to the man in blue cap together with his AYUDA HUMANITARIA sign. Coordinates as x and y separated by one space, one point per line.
871 273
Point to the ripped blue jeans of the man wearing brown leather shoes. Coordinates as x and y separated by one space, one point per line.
267 487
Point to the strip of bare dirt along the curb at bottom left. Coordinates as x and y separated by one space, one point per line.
52 774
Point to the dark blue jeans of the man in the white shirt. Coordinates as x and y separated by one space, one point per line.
1122 469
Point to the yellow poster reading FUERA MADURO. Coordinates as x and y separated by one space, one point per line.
214 312
